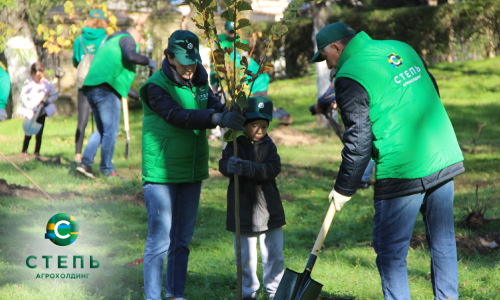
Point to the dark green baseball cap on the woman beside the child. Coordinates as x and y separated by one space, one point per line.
186 47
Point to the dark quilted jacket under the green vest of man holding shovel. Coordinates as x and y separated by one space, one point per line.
353 102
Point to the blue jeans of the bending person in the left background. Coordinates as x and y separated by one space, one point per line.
106 107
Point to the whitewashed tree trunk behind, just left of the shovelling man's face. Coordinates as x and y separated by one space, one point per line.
320 19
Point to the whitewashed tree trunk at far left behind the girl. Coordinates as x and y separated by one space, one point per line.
20 52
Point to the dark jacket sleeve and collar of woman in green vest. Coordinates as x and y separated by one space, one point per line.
168 109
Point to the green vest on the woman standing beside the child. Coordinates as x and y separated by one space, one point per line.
171 154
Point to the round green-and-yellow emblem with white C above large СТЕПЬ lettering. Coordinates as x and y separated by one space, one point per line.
62 229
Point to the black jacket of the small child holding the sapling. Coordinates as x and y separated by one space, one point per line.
260 202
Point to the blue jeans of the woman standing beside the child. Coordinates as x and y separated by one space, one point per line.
172 210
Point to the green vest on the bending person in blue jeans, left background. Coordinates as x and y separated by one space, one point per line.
109 67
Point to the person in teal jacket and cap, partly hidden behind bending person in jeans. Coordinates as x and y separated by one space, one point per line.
92 37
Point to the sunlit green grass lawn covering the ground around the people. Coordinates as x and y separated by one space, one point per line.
114 228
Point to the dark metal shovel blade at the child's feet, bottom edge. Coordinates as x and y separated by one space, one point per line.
298 286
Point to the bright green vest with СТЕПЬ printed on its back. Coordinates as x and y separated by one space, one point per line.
412 134
